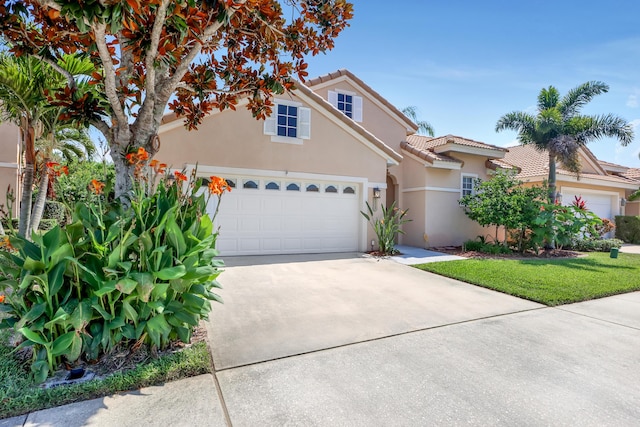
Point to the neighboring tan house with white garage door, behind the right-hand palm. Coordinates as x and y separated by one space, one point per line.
602 185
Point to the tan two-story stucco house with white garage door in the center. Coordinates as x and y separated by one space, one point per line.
301 178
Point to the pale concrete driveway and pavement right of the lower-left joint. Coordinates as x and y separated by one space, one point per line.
347 340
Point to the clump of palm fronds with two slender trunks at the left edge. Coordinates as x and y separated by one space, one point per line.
25 82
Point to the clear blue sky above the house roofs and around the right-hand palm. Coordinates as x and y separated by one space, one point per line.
465 63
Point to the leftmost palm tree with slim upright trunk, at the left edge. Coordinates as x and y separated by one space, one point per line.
24 81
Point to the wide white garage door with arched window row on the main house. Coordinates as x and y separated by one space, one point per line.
275 216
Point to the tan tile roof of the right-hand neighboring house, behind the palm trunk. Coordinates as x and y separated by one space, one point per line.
533 163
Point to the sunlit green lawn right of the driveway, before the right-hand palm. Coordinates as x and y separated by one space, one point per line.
548 281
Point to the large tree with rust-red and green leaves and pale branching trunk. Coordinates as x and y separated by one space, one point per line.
192 55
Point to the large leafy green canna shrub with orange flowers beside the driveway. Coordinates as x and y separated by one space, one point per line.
141 275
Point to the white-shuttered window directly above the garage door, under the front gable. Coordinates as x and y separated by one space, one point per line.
289 122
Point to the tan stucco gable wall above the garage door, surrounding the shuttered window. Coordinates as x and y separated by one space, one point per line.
236 139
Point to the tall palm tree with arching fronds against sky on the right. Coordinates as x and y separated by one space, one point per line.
559 129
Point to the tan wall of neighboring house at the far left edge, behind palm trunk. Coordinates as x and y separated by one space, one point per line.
9 171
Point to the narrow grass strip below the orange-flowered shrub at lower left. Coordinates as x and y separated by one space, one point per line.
19 394
